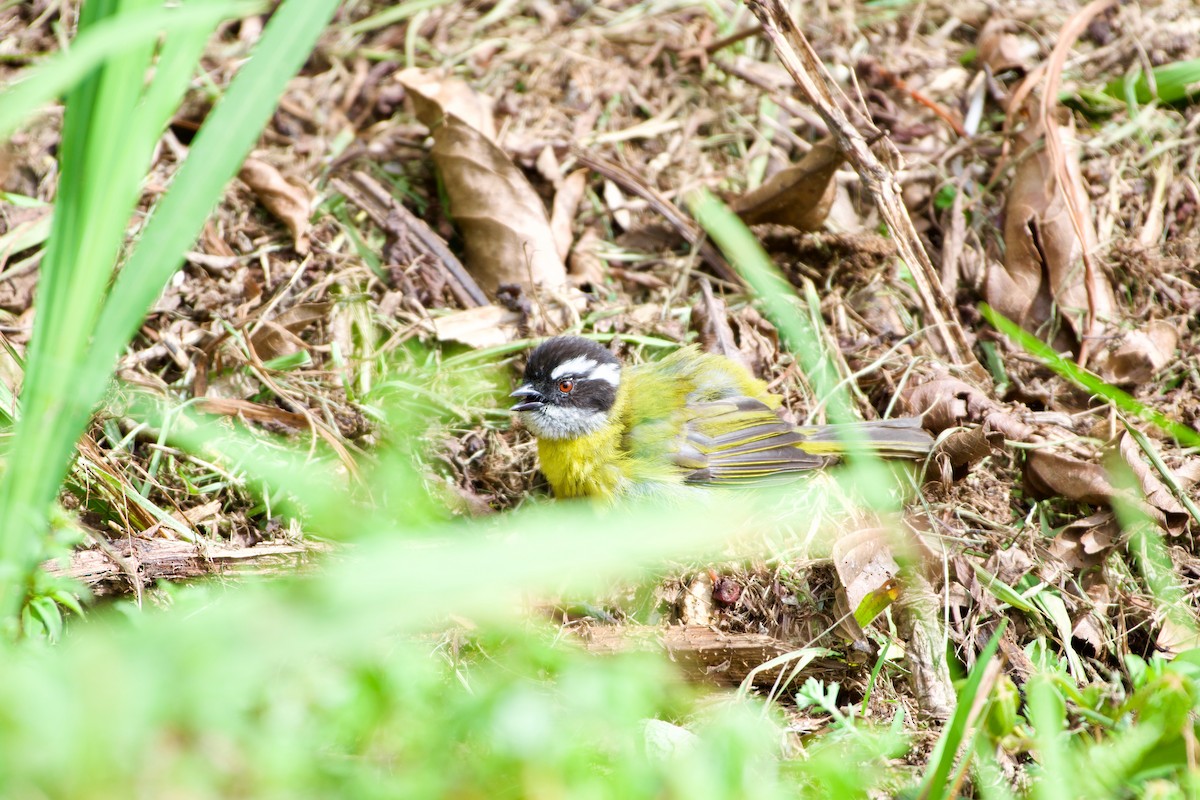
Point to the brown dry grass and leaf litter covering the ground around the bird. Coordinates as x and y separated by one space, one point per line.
538 183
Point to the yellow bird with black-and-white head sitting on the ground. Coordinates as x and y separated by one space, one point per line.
692 420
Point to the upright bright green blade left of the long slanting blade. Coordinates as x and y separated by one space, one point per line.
103 163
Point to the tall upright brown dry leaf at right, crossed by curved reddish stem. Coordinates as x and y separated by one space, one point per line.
1043 266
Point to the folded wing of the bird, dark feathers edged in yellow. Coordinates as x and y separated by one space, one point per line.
741 441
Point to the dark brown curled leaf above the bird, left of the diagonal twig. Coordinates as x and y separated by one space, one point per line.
800 196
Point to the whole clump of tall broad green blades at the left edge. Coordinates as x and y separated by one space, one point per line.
113 119
